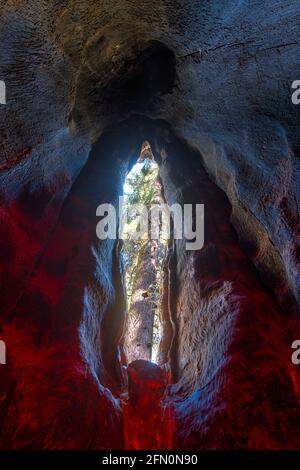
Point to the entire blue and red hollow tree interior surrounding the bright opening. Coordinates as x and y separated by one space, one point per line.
217 75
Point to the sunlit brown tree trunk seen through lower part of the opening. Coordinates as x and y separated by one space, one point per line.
139 339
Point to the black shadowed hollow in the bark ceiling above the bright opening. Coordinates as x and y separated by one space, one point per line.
137 83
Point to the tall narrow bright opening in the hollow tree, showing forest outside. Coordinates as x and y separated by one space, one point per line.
143 260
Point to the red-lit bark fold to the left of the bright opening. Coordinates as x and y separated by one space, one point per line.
62 352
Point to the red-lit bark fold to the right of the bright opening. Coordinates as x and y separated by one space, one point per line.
234 373
